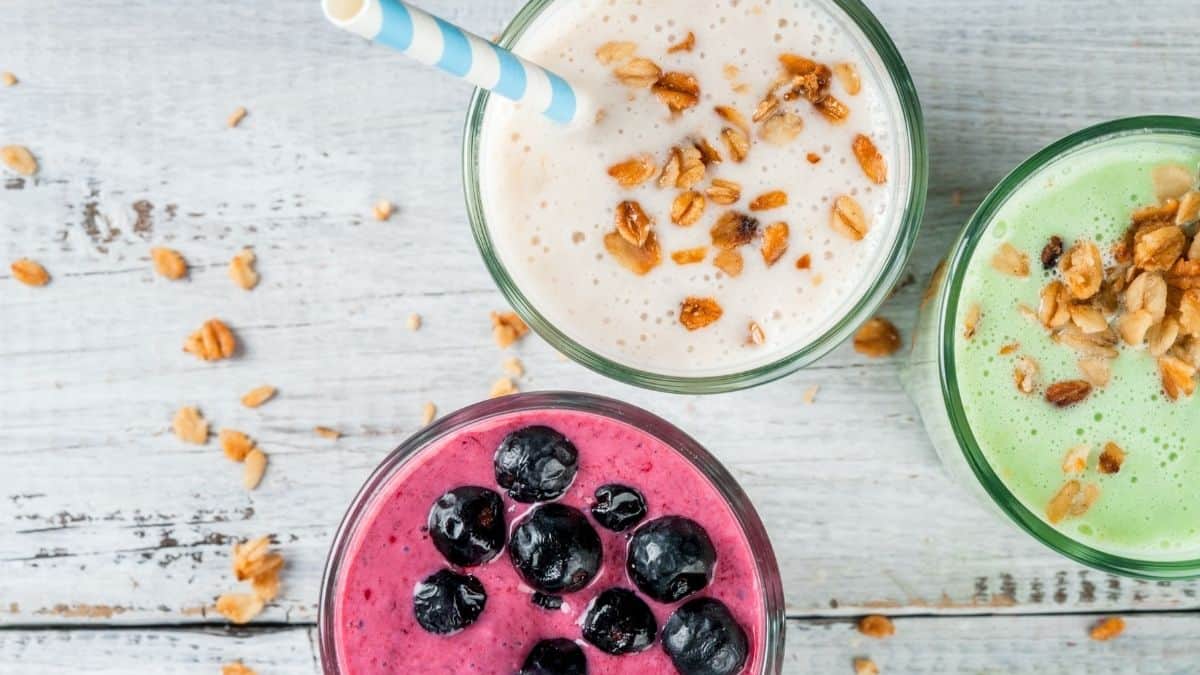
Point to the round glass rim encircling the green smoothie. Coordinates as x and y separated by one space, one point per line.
961 258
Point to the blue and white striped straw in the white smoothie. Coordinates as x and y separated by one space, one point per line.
436 43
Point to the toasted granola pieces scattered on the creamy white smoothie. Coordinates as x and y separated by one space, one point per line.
691 168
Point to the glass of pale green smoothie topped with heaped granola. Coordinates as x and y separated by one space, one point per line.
1055 359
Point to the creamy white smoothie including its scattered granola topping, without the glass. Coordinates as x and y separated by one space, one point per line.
735 190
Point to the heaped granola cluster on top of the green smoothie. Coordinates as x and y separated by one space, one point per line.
1147 297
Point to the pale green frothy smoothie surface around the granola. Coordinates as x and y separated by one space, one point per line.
1150 509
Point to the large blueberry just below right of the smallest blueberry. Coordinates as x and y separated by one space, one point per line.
671 558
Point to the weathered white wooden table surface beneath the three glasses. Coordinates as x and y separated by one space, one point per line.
115 537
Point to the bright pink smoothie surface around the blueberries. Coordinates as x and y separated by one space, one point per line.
391 553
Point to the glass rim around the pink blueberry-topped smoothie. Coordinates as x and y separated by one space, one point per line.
766 564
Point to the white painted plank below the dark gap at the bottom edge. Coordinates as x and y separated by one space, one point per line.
1046 646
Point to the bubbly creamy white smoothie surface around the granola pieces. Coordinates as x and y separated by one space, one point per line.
549 200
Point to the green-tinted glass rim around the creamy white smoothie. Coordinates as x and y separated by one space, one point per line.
874 296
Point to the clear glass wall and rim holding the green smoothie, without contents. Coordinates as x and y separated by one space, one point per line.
931 375
